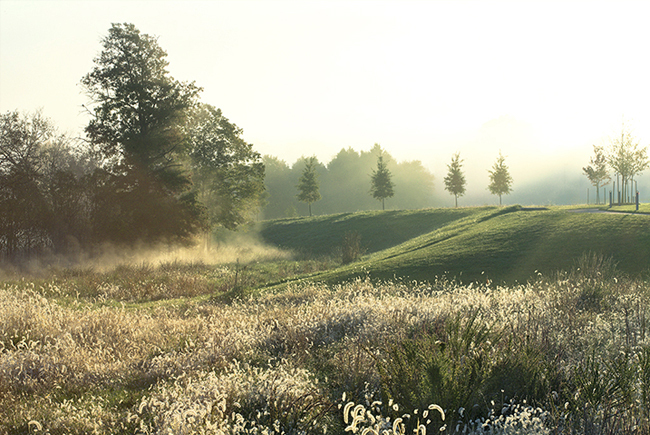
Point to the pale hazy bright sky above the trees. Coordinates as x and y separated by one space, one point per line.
542 81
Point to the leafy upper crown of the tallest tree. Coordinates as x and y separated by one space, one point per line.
138 109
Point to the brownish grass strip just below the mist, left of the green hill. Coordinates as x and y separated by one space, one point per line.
146 282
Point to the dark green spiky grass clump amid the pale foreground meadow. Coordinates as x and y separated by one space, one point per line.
466 362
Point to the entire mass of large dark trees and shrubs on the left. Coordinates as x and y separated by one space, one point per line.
156 165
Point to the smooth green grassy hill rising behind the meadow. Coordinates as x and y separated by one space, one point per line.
501 244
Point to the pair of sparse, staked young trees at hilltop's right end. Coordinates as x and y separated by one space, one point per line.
626 159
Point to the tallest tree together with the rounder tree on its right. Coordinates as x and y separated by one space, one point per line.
165 153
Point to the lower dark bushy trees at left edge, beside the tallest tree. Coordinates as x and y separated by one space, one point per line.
45 205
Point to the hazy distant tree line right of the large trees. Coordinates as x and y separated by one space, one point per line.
351 181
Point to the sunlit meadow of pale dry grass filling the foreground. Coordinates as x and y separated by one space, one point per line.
150 349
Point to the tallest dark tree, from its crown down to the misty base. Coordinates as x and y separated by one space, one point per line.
139 115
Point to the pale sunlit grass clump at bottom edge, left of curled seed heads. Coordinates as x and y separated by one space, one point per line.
241 399
